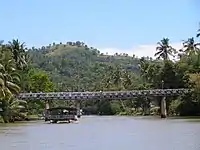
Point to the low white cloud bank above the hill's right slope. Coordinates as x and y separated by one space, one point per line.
139 51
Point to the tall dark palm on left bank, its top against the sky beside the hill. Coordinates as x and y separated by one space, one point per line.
18 53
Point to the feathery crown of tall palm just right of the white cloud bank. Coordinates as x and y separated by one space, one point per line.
164 49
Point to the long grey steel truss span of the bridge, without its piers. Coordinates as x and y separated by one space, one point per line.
105 95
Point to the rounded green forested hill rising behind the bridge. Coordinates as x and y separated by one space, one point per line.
74 66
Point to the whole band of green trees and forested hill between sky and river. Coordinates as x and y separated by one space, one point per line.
76 67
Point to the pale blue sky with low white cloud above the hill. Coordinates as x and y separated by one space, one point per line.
130 26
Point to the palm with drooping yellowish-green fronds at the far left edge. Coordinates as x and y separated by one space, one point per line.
8 83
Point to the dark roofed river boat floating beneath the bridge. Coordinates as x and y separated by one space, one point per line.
62 114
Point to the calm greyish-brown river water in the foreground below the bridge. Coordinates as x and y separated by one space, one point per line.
103 133
